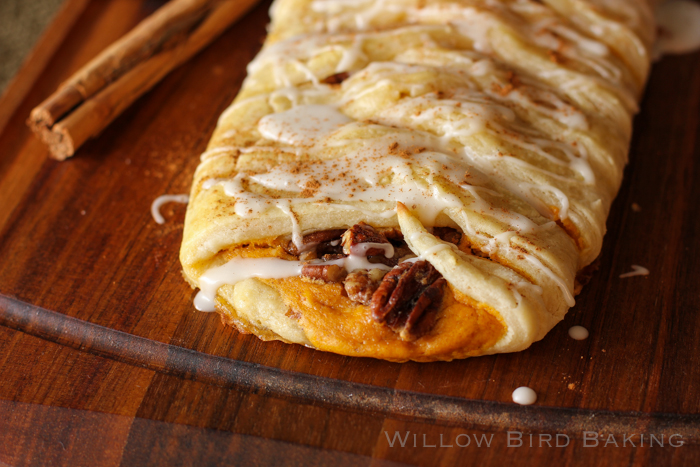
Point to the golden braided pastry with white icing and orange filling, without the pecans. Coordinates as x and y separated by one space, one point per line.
507 120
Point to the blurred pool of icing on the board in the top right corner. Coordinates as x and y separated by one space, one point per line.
679 27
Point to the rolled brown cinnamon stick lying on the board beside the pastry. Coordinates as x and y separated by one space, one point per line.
99 92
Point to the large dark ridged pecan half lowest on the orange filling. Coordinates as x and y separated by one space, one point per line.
408 297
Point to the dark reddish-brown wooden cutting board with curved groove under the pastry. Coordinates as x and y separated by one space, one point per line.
104 361
